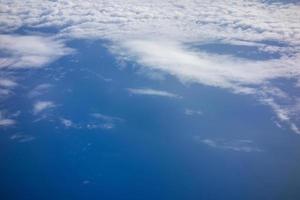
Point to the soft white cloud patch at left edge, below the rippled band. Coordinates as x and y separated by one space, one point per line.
29 51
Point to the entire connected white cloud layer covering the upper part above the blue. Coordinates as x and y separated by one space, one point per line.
161 36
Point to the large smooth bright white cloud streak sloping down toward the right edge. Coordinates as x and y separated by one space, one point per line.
214 70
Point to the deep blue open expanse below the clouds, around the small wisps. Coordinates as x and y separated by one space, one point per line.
153 154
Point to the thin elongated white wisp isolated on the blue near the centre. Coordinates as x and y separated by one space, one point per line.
152 92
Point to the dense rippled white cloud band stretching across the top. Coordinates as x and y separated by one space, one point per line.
188 20
